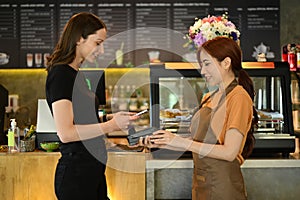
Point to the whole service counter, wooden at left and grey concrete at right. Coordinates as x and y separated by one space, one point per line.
136 175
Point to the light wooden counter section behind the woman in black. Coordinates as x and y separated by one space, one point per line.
30 175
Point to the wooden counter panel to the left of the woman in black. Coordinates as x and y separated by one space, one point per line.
27 176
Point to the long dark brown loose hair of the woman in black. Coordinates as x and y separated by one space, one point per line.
80 25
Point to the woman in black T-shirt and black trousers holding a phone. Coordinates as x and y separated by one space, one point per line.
80 170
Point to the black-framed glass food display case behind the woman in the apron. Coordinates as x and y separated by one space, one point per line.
177 88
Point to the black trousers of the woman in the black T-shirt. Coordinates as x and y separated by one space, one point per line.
80 176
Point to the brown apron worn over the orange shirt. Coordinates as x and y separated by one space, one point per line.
214 179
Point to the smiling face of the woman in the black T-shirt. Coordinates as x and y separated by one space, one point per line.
89 48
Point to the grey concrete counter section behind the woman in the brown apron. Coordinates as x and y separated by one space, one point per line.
273 179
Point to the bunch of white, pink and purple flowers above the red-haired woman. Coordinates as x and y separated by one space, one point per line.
211 27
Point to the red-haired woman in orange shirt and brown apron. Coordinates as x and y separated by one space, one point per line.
222 128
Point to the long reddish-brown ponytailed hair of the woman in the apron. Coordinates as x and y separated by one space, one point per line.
220 48
